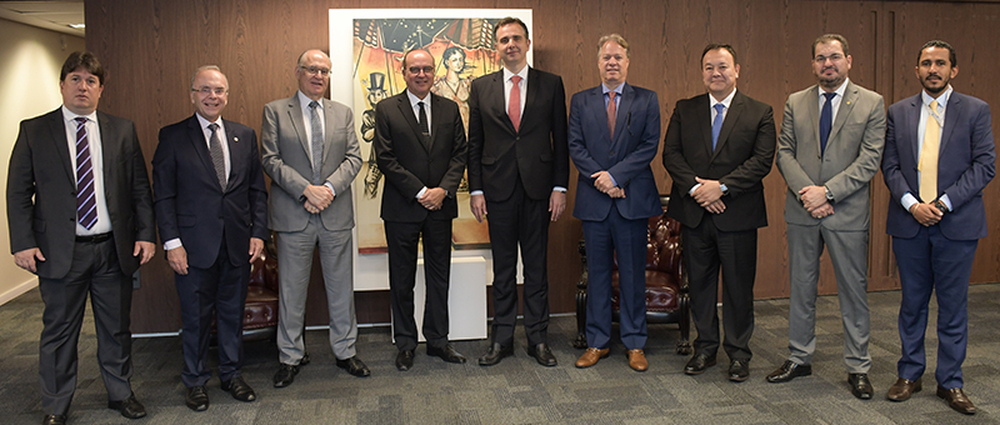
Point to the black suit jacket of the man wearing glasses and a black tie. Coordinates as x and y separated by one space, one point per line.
411 161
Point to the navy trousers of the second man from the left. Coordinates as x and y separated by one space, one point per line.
220 291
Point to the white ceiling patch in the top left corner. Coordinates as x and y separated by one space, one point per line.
51 15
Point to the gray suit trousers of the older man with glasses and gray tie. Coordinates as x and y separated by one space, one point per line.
295 255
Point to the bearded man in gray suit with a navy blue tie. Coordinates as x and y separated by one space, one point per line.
831 141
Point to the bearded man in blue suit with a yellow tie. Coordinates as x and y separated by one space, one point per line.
939 155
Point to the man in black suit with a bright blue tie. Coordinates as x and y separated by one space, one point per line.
718 148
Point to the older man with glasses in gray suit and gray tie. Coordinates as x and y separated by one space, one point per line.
311 153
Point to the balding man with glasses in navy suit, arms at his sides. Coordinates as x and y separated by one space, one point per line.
211 203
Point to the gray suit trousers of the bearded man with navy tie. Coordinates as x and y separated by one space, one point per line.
849 254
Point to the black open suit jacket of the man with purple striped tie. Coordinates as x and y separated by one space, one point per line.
41 192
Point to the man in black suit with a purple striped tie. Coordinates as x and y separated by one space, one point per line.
83 164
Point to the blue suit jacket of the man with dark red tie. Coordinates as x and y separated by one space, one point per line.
626 158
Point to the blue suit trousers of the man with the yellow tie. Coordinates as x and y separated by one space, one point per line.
931 262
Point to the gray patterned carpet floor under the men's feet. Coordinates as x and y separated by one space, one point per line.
519 391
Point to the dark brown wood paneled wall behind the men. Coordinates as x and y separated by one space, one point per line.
150 48
